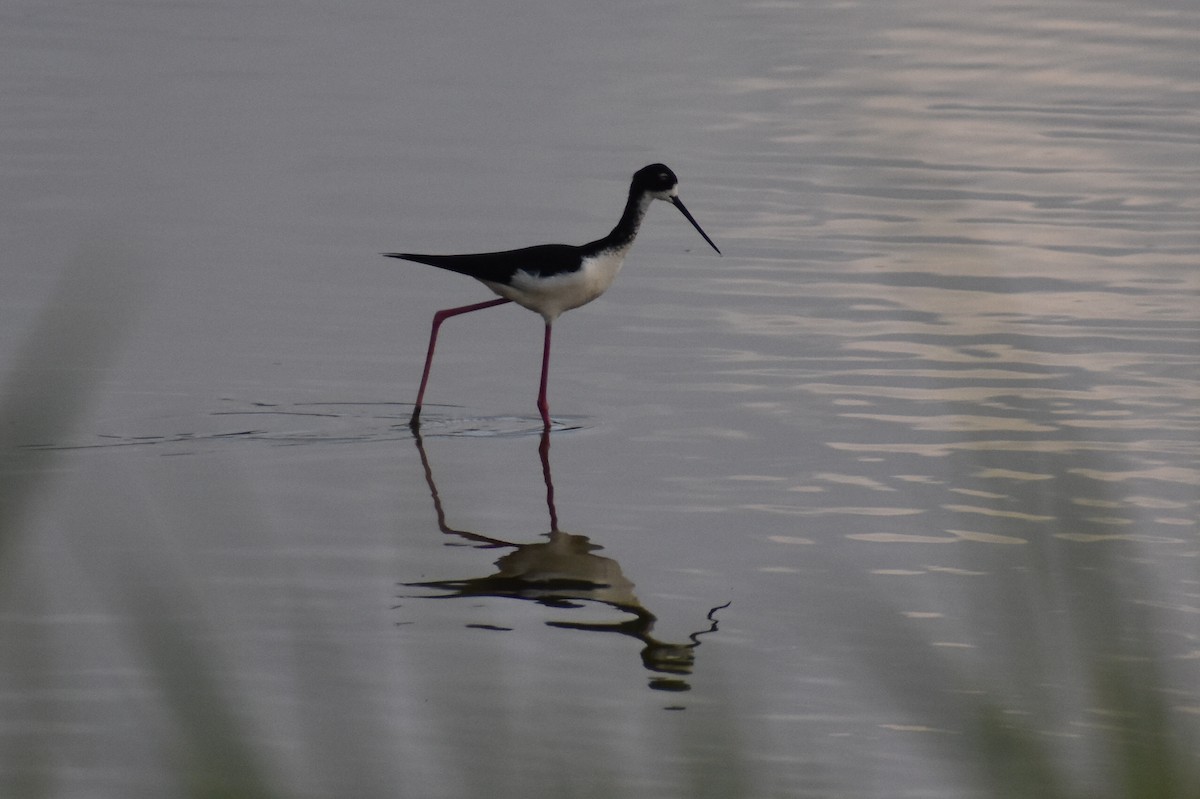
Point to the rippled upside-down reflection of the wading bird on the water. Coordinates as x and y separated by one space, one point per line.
565 572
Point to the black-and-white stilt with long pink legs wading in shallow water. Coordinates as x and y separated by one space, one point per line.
553 279
